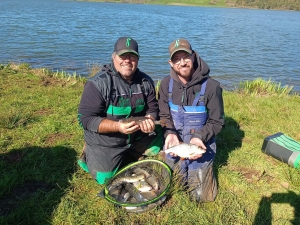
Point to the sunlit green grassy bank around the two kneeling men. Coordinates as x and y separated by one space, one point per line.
40 141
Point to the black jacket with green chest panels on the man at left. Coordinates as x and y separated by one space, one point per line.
108 95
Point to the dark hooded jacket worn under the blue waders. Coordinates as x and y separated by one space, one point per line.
184 95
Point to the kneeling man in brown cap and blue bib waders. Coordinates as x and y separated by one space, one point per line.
191 105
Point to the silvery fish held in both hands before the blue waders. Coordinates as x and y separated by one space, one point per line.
185 150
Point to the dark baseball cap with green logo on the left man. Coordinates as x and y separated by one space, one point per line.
126 44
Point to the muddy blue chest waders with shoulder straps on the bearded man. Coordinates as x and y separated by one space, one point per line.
197 174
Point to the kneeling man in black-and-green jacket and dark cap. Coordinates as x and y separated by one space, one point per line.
120 90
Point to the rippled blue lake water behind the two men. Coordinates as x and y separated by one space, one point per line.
237 44
